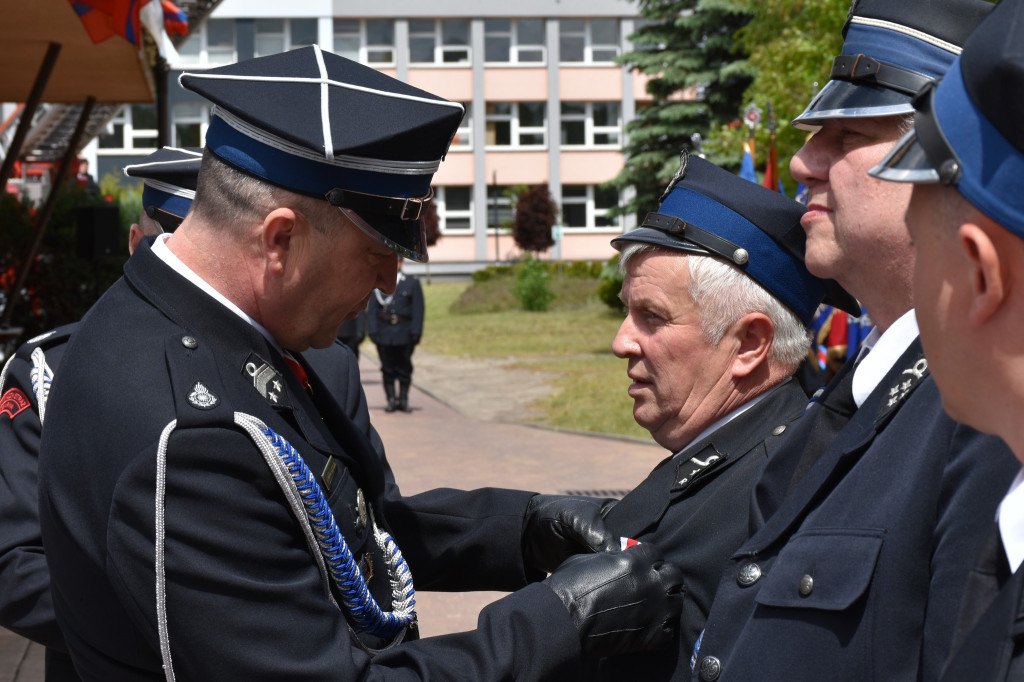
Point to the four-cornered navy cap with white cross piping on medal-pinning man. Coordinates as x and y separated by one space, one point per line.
321 125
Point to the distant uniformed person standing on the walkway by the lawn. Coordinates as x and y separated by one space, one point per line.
396 327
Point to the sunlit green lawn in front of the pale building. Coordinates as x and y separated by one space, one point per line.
574 343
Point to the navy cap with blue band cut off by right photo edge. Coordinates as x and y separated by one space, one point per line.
968 132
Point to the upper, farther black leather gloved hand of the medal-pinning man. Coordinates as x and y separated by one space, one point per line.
557 527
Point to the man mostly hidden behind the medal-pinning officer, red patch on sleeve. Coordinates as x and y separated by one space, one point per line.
26 603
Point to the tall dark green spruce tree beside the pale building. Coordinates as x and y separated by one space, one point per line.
699 76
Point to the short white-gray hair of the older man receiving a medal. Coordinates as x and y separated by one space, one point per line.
723 293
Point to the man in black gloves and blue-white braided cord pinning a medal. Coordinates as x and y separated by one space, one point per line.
210 513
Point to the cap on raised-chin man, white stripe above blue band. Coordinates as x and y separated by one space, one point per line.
892 49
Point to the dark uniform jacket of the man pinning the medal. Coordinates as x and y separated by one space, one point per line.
160 371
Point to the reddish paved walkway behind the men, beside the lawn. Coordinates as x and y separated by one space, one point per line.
441 445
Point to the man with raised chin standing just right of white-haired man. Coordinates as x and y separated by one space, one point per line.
867 520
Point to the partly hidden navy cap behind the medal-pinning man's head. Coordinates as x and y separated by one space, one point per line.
168 184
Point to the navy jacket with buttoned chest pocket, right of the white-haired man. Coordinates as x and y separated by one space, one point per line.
859 574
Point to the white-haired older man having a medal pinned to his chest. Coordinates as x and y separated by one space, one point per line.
719 302
